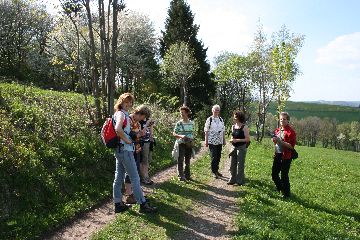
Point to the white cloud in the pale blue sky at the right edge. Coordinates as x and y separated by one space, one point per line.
343 51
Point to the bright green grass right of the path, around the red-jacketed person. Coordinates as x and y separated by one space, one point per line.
324 202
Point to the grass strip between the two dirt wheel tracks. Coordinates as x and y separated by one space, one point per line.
174 200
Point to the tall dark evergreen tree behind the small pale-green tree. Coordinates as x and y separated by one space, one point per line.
180 27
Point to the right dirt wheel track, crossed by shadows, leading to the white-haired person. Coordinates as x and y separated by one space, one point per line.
214 218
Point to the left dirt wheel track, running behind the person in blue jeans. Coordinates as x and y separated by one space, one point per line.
88 223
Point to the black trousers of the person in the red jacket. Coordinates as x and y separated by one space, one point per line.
283 166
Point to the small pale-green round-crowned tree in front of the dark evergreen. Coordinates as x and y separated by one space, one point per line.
178 67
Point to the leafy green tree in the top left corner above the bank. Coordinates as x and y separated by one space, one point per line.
24 29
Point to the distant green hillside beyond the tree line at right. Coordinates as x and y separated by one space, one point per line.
305 109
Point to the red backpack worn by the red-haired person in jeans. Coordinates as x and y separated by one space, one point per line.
108 134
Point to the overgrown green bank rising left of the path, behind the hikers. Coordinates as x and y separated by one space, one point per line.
53 164
